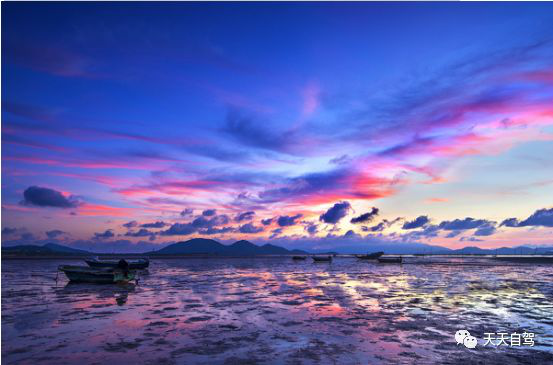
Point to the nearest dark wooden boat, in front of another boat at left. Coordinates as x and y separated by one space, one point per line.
83 274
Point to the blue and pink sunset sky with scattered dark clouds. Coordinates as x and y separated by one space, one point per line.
128 126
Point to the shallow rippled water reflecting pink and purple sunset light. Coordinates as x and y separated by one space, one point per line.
275 311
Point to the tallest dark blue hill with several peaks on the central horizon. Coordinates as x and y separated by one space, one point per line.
197 246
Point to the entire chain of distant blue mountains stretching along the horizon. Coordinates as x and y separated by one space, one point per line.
202 246
